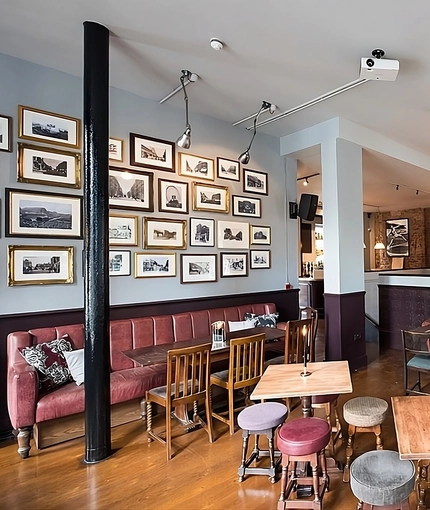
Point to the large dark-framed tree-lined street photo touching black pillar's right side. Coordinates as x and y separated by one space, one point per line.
131 190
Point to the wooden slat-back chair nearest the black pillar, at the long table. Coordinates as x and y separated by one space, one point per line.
188 372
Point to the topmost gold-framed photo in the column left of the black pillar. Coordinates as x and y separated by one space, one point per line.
48 127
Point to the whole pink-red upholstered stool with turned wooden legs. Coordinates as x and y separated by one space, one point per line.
303 440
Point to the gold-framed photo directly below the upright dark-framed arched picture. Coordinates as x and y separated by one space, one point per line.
164 234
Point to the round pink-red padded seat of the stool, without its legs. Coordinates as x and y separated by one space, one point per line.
303 436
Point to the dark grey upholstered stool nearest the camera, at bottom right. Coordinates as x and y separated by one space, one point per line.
380 480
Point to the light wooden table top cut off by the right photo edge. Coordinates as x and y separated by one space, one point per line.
412 423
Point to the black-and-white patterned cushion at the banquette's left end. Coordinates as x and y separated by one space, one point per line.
48 359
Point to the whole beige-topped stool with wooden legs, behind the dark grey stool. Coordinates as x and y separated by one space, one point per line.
363 414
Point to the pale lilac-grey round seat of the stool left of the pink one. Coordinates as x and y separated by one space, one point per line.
266 415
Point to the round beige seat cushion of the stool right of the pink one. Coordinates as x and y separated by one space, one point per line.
365 411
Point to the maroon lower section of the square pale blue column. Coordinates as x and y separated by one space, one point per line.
345 328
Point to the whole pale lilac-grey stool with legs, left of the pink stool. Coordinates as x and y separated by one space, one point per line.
260 419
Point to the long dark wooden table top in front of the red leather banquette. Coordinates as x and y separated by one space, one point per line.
157 354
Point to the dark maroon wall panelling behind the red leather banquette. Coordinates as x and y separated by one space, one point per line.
286 301
